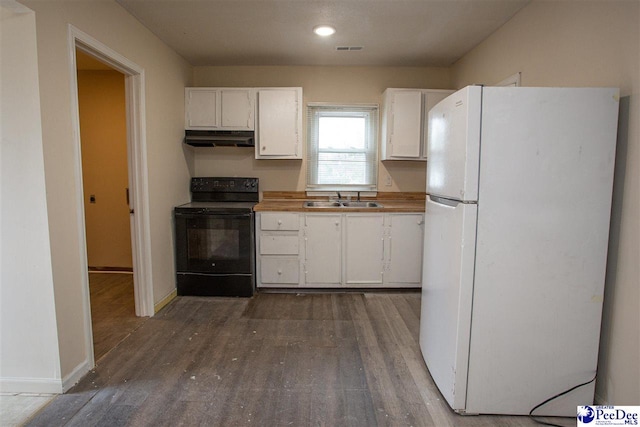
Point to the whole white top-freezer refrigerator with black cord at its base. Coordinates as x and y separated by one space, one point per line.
519 184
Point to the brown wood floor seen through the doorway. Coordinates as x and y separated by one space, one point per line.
113 312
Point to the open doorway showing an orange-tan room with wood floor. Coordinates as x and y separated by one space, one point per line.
105 178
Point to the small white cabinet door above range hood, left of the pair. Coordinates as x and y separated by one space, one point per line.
202 108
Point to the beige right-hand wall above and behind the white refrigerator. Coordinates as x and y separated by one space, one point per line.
587 43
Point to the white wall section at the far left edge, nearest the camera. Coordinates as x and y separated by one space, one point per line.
29 359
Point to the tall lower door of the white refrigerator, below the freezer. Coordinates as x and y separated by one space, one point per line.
447 289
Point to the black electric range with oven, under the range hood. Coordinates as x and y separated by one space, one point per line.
215 241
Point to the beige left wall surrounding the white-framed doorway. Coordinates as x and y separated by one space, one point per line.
166 76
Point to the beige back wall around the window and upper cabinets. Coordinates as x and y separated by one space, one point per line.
319 84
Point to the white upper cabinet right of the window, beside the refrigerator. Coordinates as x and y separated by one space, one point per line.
404 122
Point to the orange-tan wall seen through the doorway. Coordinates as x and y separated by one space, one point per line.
103 132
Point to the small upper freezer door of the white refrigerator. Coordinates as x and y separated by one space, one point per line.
453 149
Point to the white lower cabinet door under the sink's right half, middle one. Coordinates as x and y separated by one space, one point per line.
364 249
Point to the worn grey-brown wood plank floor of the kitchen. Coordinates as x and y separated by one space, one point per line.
273 360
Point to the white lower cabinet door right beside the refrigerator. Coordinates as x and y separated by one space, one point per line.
405 250
